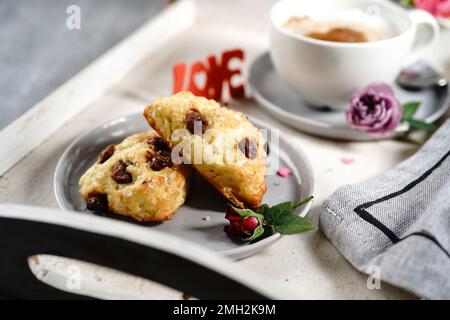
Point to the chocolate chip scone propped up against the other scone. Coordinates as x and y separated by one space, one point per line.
231 155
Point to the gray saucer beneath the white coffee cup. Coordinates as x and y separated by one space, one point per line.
287 106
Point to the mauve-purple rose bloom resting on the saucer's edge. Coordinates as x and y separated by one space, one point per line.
375 110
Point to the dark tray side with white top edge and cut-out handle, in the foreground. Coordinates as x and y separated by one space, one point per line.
27 231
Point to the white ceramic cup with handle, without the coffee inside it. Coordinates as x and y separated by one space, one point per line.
326 73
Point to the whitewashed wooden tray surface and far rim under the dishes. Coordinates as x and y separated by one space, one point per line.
134 73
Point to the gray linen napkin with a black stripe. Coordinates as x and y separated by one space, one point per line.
399 222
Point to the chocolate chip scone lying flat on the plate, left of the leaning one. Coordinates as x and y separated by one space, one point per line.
136 178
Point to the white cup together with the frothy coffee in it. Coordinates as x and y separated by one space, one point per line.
326 50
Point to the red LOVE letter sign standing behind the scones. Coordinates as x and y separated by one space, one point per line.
216 74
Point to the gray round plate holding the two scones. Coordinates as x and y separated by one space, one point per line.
190 222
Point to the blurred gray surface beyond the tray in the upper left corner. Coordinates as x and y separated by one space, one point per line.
38 52
